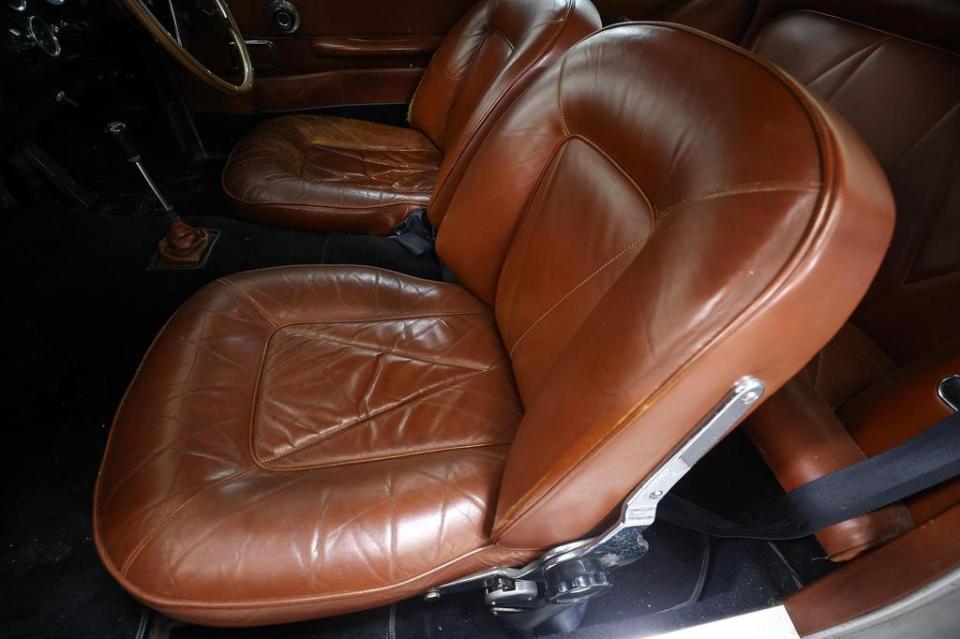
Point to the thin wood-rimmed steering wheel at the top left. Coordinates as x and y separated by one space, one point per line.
175 48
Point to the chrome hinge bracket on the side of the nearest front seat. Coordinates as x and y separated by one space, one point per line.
623 543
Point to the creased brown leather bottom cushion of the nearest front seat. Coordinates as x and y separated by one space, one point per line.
305 438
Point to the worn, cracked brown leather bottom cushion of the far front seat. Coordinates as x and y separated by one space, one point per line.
331 174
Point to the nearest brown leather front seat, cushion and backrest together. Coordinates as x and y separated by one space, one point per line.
637 233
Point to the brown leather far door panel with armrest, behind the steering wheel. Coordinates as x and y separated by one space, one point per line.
345 52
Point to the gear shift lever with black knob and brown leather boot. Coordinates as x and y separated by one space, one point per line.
184 246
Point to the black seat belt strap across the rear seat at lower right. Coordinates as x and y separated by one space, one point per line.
919 463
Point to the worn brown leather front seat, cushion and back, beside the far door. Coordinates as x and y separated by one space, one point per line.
337 174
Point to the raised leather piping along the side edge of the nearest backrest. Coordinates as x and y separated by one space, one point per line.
818 225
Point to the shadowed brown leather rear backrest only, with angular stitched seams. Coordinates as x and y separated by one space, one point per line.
903 97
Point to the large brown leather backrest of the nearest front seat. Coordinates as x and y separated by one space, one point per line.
656 237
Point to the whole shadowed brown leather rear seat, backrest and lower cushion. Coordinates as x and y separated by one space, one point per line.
892 69
